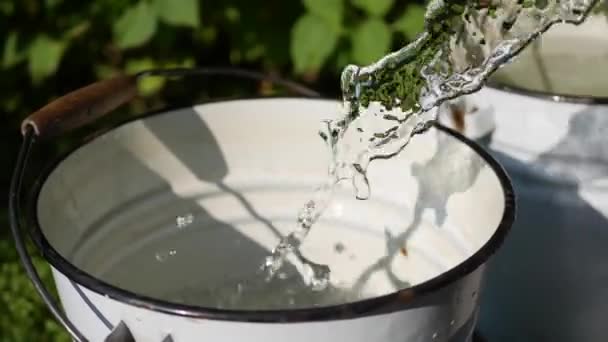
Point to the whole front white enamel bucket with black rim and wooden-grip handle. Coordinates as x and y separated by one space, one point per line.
145 224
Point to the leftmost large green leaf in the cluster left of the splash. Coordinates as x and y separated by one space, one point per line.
312 42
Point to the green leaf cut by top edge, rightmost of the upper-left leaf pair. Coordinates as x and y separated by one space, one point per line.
178 12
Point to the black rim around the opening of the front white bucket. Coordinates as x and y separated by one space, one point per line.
395 301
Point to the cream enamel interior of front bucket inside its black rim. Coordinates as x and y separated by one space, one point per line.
184 206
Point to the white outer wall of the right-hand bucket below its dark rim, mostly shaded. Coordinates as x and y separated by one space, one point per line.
548 283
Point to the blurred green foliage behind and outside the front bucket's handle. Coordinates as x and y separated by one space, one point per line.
50 47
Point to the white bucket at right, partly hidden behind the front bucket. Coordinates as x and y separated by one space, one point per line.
550 114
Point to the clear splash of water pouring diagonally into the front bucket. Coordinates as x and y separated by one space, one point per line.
392 100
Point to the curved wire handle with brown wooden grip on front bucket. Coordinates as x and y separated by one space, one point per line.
79 108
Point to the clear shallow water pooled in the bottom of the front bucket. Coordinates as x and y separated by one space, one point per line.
212 262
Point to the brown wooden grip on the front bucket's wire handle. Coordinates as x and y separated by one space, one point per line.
81 107
